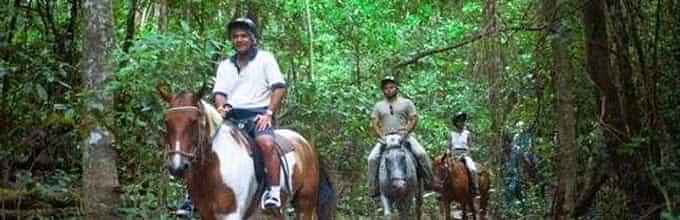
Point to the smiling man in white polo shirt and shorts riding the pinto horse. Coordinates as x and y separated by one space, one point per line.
249 86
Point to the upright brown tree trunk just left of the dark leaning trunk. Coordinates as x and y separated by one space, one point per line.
563 76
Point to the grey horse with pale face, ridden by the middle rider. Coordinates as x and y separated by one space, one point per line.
398 179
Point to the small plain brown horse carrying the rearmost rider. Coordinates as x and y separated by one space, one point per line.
452 182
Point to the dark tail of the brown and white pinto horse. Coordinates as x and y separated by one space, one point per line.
325 209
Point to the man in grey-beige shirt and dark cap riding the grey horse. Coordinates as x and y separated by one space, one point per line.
395 114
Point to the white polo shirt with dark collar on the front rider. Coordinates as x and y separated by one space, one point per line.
252 86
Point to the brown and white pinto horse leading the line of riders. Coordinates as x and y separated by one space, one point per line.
214 158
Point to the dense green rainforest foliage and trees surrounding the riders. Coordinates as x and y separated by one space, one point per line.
573 103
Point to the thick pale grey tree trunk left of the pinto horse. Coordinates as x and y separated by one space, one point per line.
100 178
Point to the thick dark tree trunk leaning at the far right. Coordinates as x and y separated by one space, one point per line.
631 173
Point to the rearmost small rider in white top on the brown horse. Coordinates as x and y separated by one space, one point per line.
459 142
